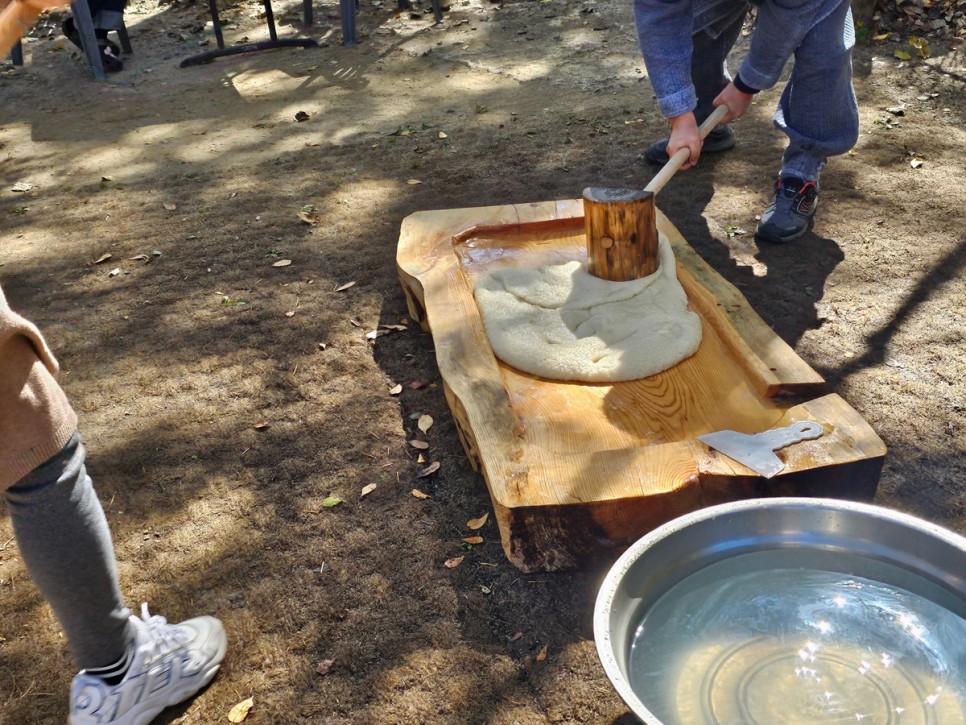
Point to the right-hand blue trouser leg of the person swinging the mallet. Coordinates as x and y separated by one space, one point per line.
818 110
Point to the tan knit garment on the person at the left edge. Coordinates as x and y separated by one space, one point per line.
36 419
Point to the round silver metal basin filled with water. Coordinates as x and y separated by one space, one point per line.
881 638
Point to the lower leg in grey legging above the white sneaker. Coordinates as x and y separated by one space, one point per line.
63 537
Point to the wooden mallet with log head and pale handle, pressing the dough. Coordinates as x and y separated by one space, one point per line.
621 224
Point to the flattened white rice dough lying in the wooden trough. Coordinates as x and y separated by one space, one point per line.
561 322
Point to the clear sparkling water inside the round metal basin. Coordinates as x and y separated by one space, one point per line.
786 636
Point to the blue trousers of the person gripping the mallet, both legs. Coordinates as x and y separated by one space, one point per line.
817 110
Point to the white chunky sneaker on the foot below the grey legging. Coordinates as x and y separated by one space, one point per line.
171 662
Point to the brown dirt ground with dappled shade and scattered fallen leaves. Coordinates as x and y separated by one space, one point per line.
224 398
